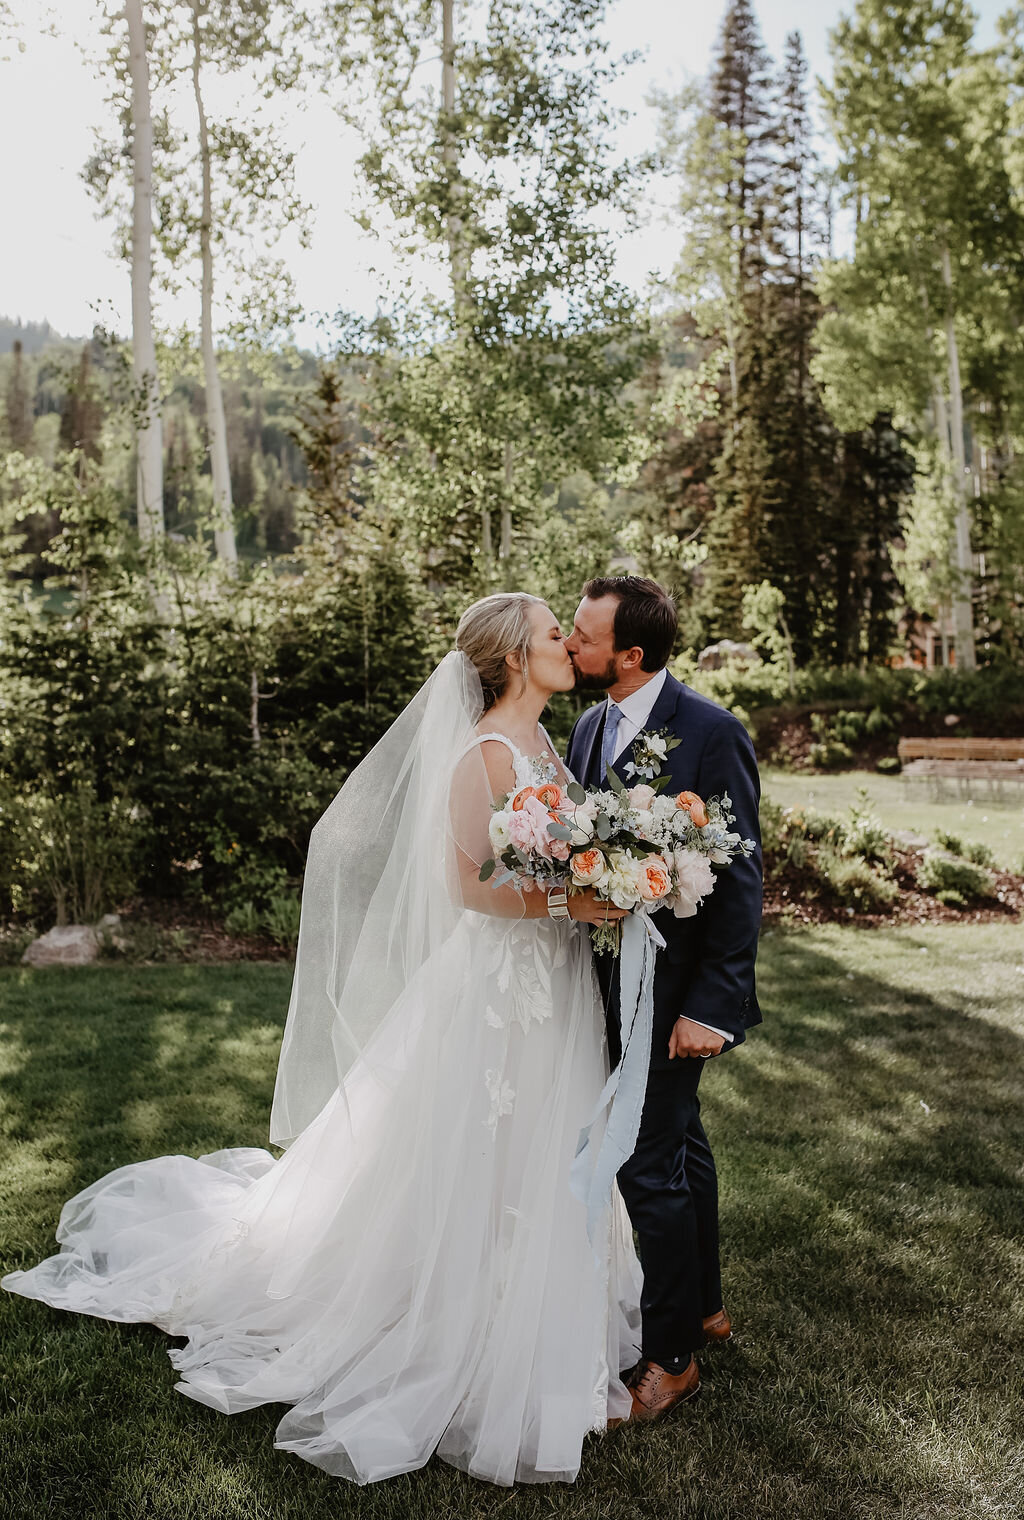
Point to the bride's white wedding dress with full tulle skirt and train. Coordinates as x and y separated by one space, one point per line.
414 1275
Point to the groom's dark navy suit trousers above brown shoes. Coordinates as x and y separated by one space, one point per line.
671 1189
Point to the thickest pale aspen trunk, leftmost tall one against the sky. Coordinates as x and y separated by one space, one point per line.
150 439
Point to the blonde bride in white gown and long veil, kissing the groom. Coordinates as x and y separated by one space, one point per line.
414 1275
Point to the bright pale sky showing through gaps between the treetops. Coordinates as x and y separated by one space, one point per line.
57 259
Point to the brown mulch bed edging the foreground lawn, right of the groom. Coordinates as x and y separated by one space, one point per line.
800 898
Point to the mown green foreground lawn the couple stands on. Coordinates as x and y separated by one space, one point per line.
870 1142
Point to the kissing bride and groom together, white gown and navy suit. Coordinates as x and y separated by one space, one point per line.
416 1275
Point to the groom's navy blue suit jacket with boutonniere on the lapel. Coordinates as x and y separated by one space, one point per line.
707 969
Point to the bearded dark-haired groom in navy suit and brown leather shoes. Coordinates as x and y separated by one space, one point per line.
704 983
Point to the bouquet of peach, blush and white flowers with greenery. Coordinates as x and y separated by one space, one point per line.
639 850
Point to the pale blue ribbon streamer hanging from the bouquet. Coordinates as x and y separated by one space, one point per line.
622 1100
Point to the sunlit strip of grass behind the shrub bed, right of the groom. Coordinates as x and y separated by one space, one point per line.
900 806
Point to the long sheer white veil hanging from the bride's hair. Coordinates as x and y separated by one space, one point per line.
382 887
